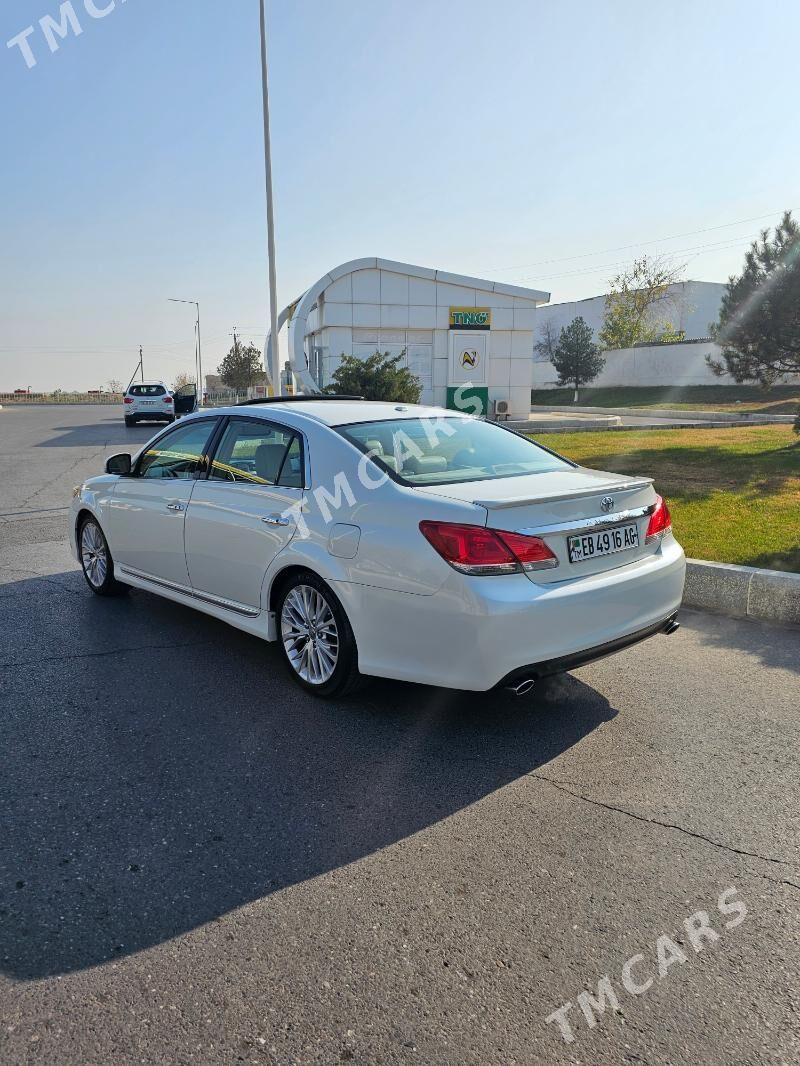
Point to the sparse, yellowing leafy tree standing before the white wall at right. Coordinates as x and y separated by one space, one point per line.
633 305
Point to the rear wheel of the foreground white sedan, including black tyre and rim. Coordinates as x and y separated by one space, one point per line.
316 638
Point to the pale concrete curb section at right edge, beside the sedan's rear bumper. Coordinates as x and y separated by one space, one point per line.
744 592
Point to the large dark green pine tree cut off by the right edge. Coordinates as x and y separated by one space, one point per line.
759 327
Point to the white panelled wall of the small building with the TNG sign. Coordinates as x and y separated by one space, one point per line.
377 309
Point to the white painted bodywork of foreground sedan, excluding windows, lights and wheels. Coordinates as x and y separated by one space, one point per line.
414 618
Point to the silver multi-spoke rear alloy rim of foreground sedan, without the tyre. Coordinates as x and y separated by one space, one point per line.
310 635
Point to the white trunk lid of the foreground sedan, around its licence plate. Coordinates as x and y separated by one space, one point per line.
563 504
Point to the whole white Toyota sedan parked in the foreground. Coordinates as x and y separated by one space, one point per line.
387 540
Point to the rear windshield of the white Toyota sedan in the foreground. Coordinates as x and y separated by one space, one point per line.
421 451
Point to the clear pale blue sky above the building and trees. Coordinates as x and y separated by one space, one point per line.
522 140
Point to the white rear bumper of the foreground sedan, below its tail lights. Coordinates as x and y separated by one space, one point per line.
475 634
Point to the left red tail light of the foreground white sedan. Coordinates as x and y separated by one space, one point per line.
477 551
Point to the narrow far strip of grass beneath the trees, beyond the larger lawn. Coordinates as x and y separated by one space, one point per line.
780 400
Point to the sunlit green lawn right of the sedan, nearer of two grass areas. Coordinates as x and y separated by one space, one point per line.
734 494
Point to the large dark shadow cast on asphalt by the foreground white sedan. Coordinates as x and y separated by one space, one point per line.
162 770
